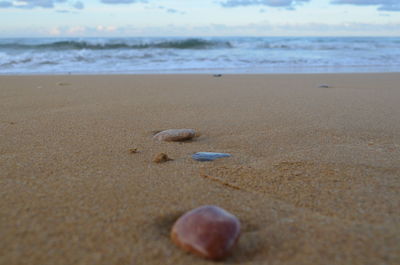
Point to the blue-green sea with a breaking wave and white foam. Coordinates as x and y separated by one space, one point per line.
199 55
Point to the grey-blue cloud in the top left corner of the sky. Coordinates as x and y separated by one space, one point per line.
30 4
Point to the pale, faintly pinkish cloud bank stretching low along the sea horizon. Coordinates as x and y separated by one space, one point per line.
253 29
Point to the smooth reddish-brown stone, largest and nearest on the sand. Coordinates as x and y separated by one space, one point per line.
207 231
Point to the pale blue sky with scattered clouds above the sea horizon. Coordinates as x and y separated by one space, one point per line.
124 18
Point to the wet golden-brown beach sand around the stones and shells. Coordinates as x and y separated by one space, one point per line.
314 175
